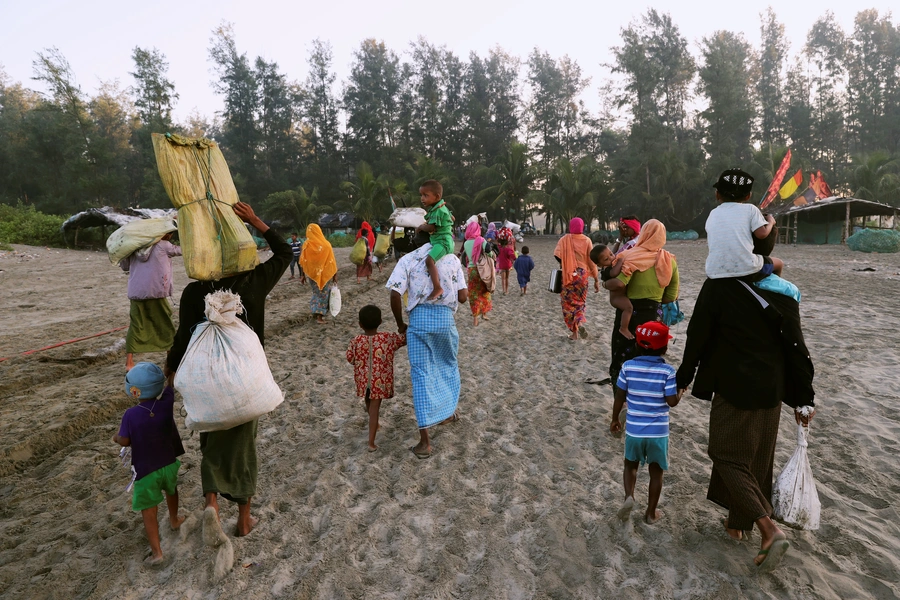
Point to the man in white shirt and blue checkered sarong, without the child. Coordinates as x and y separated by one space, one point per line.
431 336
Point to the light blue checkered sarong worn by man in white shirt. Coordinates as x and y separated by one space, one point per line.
432 343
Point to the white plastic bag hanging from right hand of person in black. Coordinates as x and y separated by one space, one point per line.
794 497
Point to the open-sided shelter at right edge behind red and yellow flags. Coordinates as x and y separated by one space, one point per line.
828 221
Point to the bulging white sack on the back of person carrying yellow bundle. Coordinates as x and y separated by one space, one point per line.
224 377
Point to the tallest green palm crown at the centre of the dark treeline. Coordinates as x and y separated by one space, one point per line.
513 179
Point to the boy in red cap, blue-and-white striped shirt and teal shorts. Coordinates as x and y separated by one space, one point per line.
648 386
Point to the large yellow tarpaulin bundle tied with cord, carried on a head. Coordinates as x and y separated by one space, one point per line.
215 241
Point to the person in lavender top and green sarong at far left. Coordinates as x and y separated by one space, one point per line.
151 328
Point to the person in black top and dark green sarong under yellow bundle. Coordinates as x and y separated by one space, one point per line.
229 465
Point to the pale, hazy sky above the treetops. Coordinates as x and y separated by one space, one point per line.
97 36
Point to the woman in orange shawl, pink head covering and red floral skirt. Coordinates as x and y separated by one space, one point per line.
573 253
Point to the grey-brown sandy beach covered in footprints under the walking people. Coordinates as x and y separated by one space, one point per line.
519 499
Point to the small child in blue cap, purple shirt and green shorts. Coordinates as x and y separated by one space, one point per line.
149 428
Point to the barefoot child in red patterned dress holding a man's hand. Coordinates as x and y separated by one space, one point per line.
372 357
